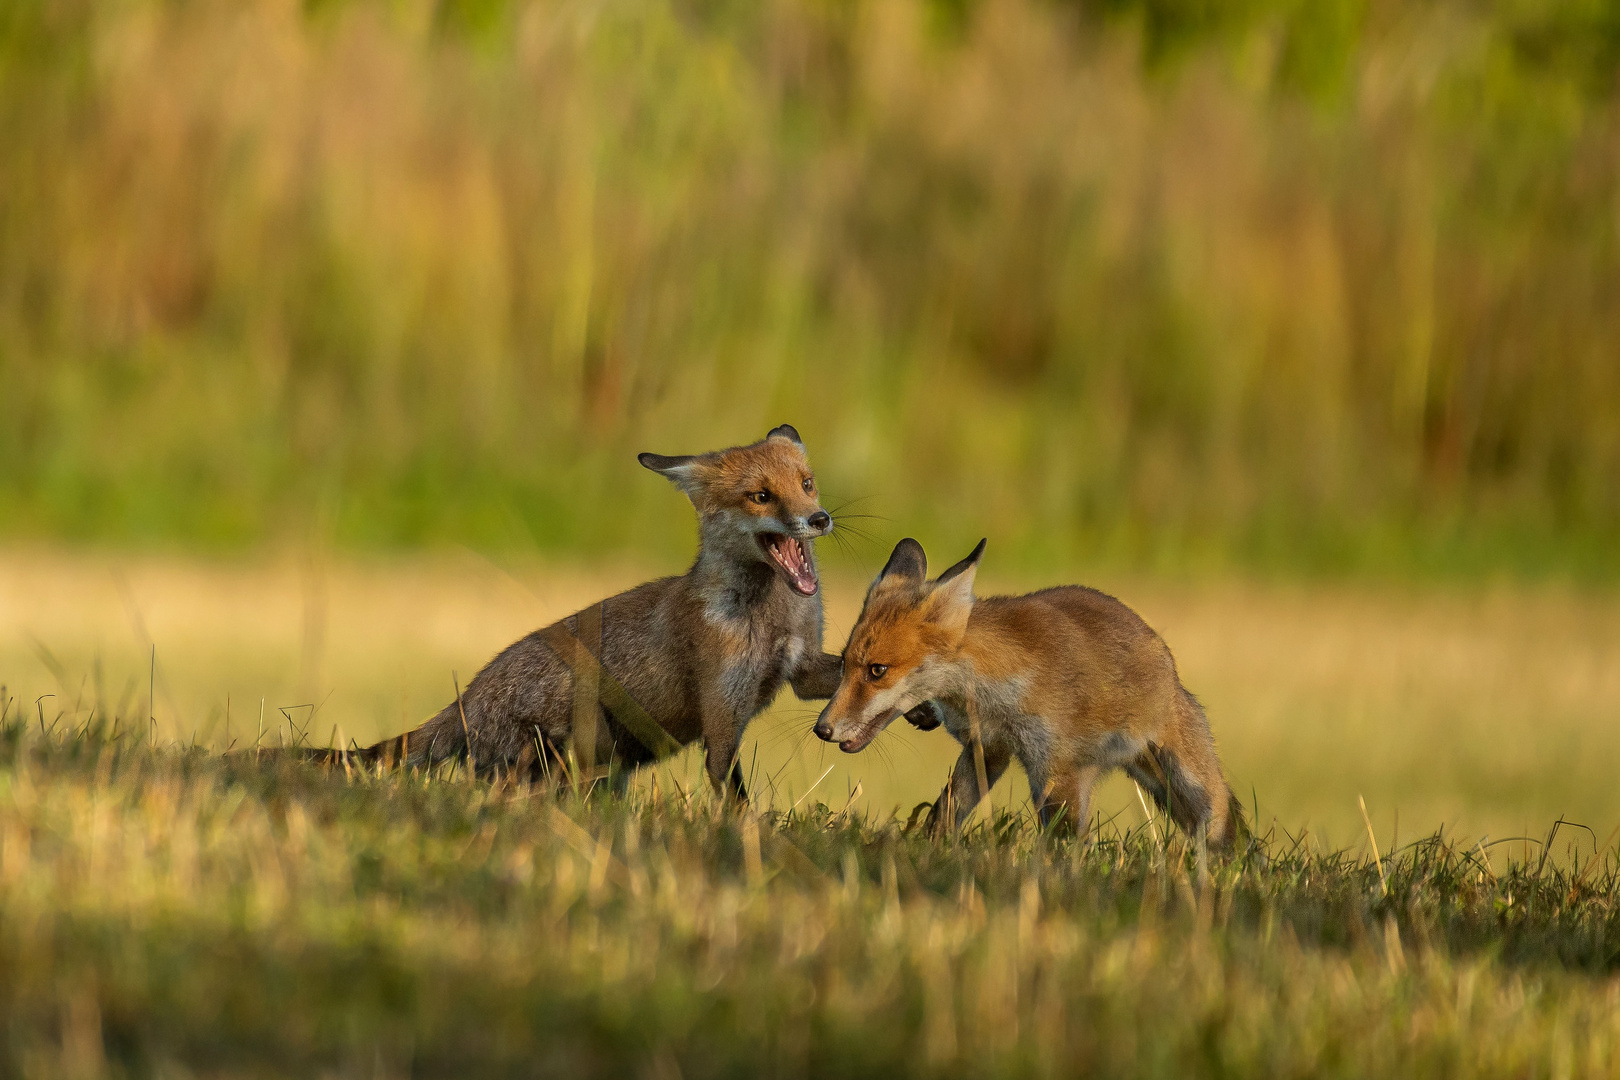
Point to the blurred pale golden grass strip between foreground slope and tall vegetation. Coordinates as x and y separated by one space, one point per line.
1485 710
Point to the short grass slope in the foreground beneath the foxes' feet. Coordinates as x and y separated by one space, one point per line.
168 912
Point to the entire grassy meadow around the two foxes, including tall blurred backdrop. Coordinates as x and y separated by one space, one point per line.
330 331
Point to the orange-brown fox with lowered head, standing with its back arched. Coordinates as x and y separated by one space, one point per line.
1068 681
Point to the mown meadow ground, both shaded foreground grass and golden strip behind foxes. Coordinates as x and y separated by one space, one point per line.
179 899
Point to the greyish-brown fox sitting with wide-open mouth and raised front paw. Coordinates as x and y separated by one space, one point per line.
675 660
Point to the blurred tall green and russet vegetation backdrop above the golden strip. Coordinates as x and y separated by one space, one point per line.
1243 283
